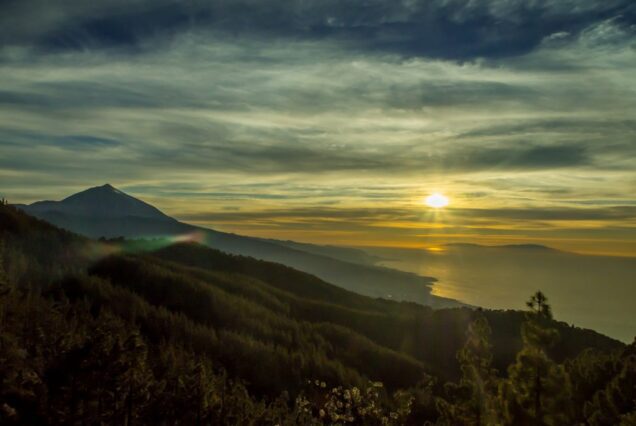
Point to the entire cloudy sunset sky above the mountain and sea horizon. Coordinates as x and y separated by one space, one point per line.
329 121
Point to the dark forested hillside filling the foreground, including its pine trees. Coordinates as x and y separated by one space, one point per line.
124 332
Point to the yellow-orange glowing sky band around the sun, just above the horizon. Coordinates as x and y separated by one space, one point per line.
405 222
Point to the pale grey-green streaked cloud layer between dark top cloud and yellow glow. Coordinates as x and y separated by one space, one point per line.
204 104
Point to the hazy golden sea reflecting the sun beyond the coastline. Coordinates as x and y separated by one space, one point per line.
500 278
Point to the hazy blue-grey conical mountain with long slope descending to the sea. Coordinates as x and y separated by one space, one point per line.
82 213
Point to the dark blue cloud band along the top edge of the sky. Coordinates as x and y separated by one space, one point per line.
456 29
